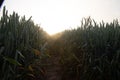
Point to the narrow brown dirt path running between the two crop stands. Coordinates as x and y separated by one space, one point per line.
53 67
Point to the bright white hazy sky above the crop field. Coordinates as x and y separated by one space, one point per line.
57 15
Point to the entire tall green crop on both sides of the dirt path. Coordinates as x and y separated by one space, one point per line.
90 52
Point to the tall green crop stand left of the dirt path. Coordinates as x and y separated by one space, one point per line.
18 40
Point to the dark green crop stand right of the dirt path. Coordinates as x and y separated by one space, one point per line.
92 51
